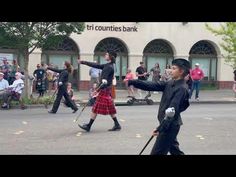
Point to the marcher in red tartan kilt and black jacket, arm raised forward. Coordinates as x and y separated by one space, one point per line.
104 104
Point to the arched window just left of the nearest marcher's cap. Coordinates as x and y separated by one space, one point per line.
157 51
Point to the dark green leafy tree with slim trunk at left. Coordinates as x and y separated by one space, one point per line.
27 36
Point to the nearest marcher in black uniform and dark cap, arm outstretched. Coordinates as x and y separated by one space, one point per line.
174 101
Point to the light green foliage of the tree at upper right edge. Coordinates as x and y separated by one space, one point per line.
228 32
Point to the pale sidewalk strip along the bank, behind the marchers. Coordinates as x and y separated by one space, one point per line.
206 96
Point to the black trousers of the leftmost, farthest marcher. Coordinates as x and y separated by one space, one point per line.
63 92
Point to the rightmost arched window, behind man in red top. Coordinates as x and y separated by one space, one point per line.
204 53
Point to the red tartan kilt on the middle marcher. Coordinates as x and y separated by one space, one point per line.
104 104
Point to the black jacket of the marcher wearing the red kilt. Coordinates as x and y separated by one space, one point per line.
107 71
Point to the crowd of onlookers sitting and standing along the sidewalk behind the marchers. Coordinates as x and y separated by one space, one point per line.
12 80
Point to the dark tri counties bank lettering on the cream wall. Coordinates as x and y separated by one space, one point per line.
114 28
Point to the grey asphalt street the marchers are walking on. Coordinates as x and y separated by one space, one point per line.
207 129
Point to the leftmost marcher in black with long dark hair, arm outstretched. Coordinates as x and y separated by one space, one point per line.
62 88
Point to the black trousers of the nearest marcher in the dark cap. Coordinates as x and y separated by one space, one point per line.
167 142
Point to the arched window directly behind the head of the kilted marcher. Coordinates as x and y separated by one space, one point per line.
121 59
